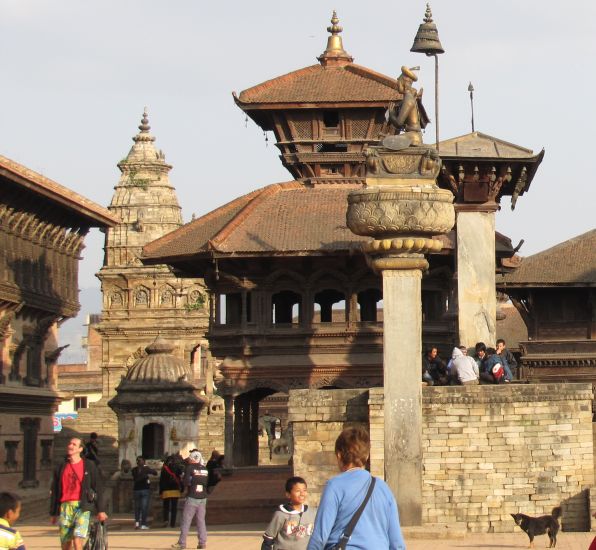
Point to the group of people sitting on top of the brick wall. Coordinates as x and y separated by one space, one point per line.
488 365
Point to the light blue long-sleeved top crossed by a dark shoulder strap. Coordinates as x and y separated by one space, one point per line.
377 528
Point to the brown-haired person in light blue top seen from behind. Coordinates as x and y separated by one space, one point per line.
378 526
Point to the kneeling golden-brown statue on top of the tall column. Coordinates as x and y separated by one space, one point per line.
404 115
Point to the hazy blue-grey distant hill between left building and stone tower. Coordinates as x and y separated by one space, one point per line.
74 330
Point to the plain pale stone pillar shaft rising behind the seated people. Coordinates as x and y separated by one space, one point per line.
477 299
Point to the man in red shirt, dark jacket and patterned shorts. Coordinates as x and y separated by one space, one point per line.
77 490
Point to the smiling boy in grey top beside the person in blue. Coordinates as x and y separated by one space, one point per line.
291 525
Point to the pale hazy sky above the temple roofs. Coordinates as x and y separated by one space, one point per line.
77 75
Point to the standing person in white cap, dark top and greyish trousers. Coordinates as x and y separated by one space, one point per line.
195 483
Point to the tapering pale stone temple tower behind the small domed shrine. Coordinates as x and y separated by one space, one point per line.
141 302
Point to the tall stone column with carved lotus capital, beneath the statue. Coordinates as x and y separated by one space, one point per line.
402 208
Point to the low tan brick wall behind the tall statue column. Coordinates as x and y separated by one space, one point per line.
489 451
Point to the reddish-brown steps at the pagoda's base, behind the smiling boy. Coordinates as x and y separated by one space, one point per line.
248 495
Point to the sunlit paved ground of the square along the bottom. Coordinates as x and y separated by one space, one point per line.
247 537
